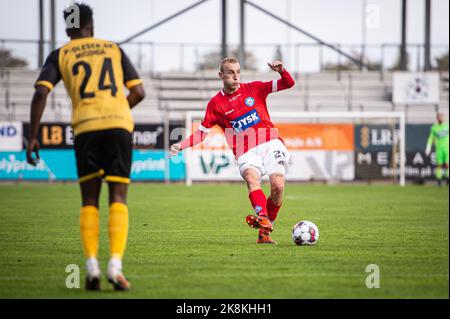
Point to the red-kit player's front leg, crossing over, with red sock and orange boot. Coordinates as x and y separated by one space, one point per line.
257 199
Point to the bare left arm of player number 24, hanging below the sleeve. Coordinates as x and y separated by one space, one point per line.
37 108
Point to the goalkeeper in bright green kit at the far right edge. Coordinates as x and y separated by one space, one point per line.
439 135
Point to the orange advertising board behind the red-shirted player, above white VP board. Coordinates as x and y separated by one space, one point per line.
296 136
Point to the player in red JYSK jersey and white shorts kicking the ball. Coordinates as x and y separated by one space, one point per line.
240 110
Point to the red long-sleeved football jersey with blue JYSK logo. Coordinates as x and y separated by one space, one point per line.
243 115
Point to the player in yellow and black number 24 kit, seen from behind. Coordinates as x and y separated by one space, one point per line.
94 73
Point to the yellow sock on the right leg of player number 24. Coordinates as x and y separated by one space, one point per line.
118 229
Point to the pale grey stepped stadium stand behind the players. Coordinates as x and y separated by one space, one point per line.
174 92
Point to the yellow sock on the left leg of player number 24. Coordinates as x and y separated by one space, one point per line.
89 226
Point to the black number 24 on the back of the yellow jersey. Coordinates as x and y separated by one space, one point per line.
106 69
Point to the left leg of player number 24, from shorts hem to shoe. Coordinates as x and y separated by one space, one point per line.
89 227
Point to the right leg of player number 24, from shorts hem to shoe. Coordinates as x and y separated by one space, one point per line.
118 234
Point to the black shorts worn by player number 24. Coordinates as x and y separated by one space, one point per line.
105 153
